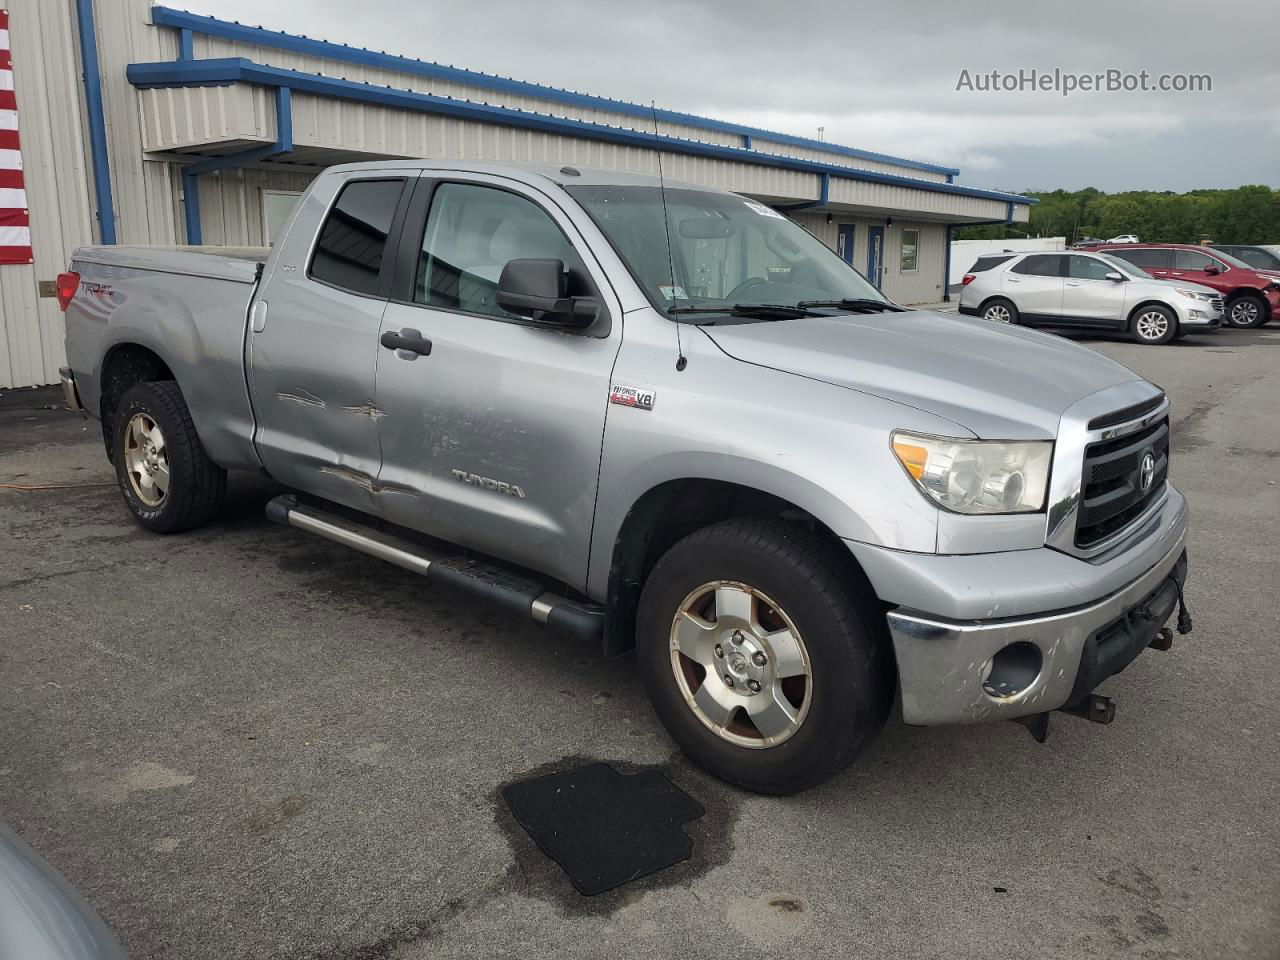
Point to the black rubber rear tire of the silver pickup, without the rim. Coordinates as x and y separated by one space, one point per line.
196 486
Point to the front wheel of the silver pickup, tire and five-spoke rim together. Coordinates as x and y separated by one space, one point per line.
766 657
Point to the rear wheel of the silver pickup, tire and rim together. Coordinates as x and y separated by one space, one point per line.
168 481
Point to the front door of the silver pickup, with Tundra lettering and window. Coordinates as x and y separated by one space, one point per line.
493 438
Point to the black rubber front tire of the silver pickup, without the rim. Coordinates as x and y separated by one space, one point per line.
844 634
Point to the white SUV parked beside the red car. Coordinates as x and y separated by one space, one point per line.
1087 291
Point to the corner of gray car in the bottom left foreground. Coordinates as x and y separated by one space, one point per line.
42 916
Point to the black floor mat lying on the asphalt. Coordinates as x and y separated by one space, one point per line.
604 828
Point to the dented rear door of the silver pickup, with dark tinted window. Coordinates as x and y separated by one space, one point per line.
313 345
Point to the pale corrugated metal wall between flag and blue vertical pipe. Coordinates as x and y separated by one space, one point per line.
47 83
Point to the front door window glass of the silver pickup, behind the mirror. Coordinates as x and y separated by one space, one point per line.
472 234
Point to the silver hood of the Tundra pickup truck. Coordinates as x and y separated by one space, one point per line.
999 382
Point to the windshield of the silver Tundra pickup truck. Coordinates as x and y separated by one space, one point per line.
725 250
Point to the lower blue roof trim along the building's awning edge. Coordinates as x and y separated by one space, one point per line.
203 74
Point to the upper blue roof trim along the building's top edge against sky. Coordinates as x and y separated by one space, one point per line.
214 28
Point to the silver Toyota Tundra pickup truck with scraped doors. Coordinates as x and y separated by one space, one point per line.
671 420
